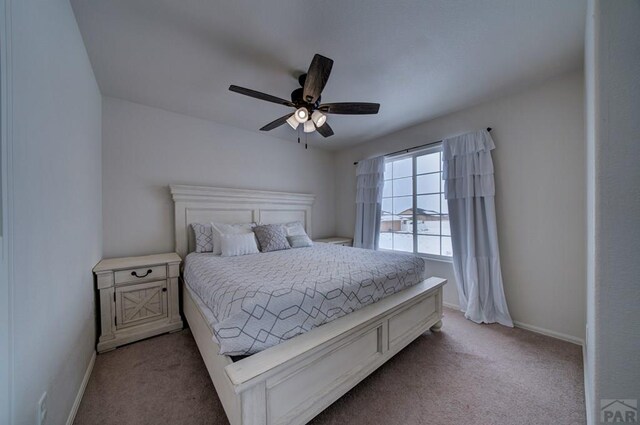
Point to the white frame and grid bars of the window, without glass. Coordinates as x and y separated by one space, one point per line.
435 147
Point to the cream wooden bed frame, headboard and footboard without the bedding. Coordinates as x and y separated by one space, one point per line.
292 382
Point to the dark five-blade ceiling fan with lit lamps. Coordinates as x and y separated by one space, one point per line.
306 100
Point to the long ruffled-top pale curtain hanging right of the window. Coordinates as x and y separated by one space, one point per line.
470 191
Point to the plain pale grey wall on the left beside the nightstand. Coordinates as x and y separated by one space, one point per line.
56 213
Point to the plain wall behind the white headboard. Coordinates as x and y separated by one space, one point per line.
145 149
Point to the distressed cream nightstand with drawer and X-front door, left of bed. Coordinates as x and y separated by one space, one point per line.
138 298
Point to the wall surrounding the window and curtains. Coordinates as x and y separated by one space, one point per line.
540 169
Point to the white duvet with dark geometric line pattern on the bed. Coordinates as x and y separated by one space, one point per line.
260 300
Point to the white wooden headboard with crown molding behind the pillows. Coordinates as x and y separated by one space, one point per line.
202 204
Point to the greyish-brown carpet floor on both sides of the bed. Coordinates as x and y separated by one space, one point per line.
467 374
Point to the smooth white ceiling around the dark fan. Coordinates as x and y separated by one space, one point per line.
419 58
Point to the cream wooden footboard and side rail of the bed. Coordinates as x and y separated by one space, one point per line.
294 381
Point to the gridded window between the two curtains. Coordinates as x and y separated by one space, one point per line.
415 217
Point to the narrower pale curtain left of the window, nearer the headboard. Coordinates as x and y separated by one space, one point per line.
369 184
